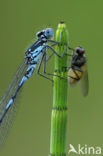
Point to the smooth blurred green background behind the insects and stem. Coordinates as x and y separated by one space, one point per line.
19 21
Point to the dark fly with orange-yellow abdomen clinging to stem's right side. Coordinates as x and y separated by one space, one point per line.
78 70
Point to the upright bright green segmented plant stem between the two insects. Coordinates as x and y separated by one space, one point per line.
60 87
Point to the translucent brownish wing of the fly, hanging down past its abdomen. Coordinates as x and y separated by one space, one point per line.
84 82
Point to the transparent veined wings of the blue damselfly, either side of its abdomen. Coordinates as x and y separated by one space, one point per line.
5 124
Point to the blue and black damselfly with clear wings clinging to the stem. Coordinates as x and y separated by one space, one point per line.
38 51
